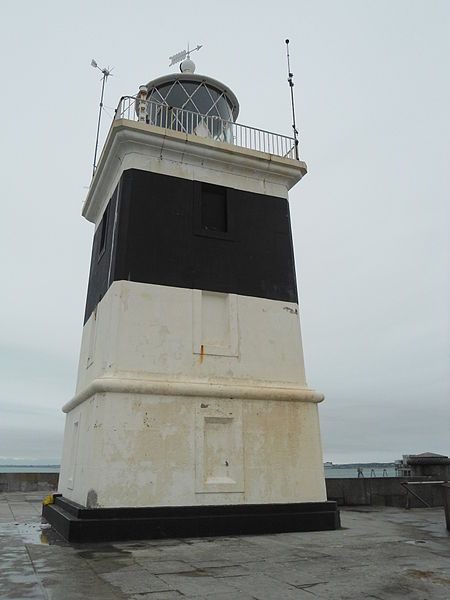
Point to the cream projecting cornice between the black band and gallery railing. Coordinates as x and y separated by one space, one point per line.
132 144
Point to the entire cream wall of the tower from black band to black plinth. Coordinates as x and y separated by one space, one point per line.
126 447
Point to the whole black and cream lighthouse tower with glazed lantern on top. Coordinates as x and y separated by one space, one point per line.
191 415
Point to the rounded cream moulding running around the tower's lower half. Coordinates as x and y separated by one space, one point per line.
191 389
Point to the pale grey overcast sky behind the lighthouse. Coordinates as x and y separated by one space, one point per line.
370 220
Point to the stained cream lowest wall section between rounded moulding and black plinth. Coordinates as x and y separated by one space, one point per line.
138 450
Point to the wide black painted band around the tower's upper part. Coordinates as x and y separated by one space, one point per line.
169 231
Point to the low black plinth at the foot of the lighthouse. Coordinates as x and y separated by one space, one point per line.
78 524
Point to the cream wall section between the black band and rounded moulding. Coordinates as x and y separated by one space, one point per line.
143 330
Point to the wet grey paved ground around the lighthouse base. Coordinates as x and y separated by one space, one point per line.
381 554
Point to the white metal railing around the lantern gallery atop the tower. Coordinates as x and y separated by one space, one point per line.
177 119
